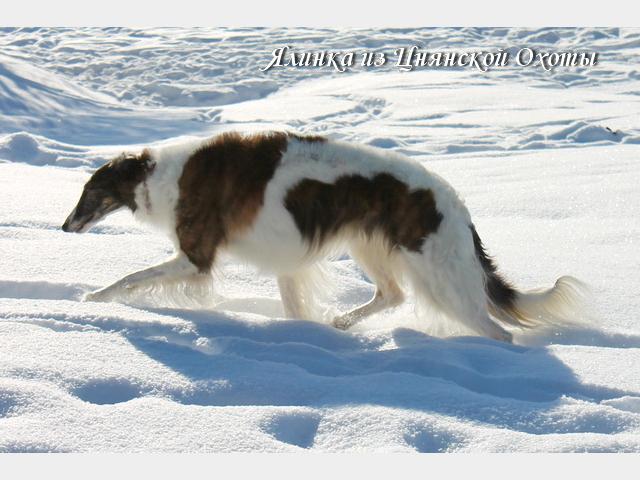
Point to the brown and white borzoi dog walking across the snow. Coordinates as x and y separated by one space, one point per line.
284 201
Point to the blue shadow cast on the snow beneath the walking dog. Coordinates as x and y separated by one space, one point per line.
292 362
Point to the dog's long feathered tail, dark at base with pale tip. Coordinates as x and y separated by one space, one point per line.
562 304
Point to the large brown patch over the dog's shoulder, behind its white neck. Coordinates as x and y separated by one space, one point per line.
222 189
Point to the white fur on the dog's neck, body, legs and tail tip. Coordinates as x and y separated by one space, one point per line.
446 274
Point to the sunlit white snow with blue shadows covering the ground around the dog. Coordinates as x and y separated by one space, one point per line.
547 163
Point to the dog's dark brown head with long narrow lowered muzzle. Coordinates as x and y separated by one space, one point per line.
110 188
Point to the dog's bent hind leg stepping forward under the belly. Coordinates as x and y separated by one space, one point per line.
376 262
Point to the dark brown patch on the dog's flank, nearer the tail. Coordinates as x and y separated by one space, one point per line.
380 204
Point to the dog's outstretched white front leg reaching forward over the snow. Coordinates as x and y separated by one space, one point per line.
178 267
